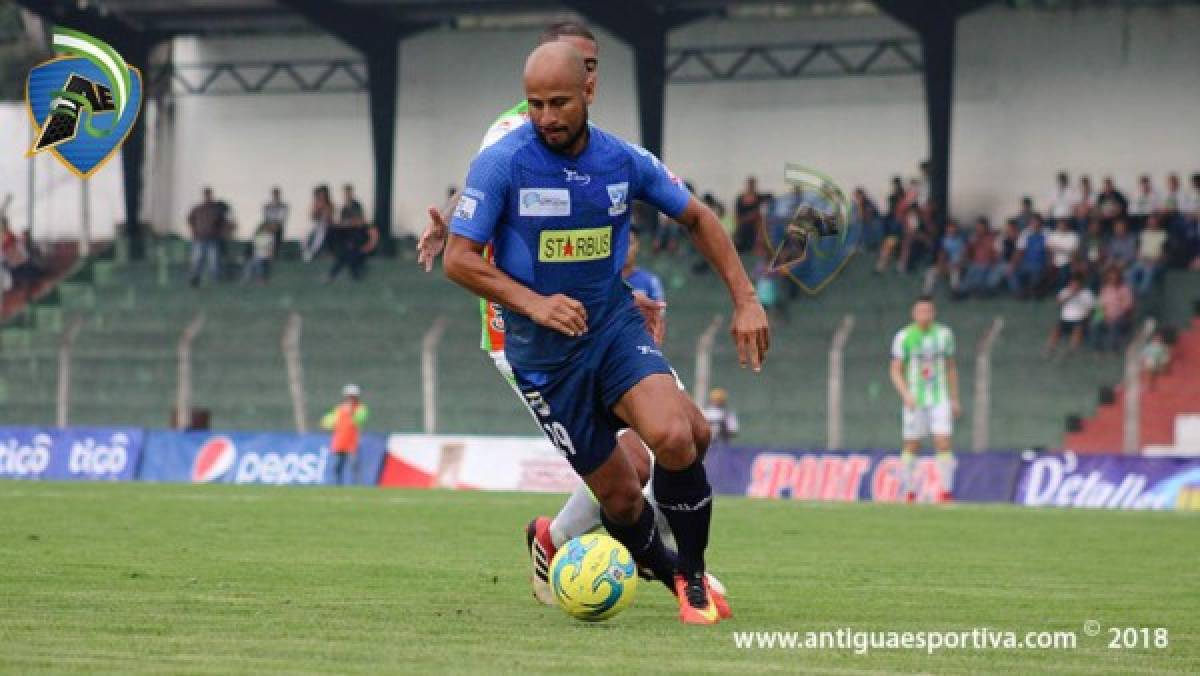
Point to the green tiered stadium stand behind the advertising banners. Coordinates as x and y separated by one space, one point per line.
125 361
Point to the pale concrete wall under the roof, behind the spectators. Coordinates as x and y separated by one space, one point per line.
1097 92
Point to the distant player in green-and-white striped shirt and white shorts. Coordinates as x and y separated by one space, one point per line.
926 376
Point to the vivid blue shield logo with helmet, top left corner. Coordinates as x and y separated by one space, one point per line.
83 103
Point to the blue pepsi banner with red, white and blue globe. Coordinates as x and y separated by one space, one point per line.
249 458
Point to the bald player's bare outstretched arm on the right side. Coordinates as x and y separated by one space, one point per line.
752 336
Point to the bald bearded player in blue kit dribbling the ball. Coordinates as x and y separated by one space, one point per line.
554 198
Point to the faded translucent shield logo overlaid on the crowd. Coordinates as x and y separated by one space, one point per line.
811 237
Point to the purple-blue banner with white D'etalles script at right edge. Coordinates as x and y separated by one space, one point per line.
1114 482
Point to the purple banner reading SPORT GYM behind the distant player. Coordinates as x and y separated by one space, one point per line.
850 477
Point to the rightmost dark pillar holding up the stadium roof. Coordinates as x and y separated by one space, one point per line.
937 22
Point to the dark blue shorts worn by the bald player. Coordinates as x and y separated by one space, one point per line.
574 403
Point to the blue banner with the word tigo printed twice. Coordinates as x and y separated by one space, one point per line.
75 453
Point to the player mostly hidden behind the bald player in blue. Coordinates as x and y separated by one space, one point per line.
581 513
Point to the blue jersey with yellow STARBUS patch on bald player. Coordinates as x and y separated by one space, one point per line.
561 225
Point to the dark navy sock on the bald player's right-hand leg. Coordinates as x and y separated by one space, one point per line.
687 501
